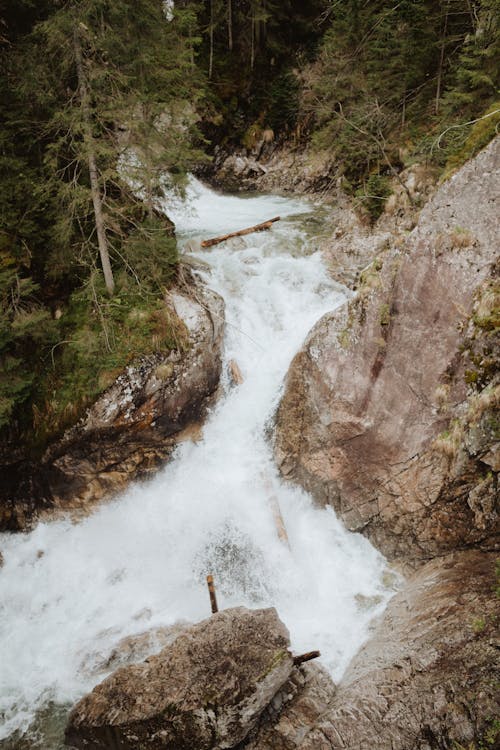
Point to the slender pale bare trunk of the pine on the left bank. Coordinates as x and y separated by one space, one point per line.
92 165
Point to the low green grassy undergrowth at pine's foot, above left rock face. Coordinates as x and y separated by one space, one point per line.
99 337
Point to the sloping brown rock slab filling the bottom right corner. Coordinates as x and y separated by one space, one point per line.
427 678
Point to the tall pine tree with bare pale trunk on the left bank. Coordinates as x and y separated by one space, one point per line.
122 67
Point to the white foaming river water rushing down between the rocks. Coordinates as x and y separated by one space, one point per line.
70 591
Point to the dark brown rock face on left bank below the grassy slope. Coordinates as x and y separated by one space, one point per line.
133 427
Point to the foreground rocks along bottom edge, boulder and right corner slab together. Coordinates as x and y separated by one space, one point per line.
426 679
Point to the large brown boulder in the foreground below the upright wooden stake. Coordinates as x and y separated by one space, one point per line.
206 690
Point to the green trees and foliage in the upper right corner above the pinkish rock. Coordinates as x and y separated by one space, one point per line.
400 74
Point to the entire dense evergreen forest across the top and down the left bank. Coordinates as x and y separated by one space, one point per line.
105 108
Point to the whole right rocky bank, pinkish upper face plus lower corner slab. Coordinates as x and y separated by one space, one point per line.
390 414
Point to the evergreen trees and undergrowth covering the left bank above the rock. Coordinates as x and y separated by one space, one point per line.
99 107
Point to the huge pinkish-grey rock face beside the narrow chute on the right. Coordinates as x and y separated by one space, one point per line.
388 411
